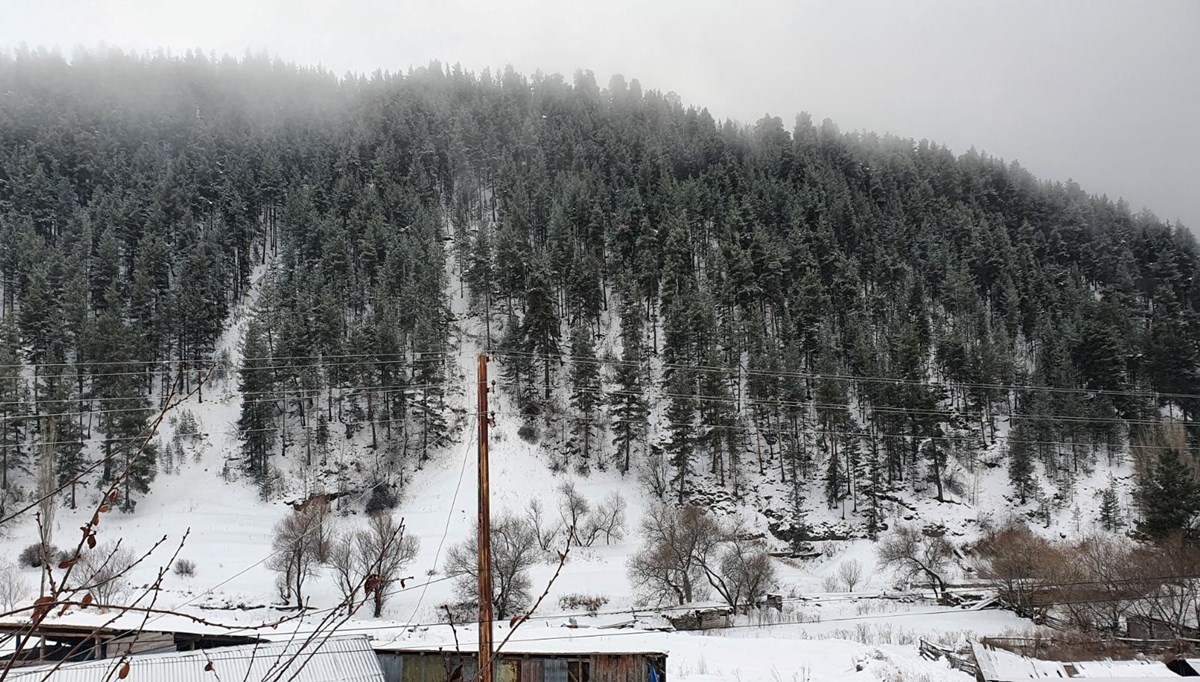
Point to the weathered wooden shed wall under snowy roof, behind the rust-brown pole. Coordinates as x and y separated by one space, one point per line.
525 666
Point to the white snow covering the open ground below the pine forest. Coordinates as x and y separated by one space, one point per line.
820 635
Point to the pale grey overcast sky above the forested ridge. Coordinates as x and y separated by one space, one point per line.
1102 92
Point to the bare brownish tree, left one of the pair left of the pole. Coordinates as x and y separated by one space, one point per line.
302 545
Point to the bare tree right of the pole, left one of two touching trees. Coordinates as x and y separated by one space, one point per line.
668 567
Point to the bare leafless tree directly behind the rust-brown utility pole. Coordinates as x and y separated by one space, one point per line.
514 552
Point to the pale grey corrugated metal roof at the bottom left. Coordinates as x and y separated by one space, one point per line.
335 660
